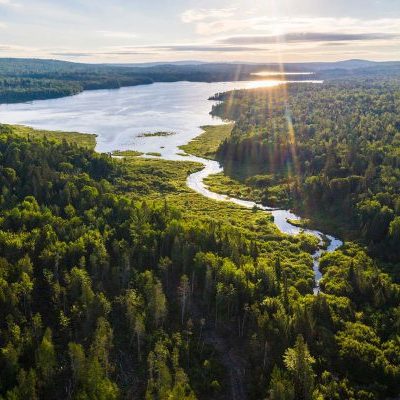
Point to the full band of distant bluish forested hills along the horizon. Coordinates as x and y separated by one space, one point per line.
29 79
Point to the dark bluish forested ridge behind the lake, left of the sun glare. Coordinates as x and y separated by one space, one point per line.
26 79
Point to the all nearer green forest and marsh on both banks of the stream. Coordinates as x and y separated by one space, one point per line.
119 282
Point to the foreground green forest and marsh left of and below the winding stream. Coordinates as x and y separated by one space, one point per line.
116 281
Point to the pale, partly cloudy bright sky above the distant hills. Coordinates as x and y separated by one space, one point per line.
122 31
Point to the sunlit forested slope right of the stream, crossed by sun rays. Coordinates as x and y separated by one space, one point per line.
331 151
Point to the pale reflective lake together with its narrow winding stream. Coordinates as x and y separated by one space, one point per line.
120 117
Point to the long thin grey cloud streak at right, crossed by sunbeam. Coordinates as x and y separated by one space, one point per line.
304 37
